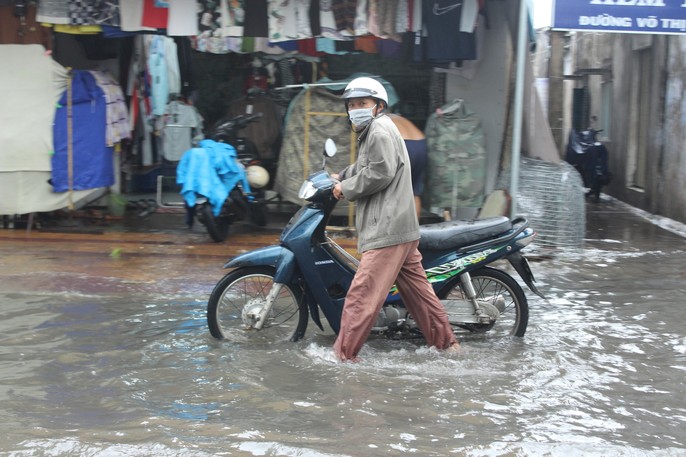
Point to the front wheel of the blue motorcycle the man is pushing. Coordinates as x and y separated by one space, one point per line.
246 289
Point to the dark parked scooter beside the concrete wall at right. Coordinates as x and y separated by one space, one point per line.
590 158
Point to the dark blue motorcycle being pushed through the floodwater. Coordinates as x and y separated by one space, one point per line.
275 290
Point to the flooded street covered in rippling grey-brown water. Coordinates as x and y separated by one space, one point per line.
104 350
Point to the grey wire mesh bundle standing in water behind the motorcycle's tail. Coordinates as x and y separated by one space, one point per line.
551 196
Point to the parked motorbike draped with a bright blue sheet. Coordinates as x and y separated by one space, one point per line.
238 191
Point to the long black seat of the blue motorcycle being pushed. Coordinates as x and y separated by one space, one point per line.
456 234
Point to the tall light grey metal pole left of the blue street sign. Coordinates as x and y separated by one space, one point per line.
519 99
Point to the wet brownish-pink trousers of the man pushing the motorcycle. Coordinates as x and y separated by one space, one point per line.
378 270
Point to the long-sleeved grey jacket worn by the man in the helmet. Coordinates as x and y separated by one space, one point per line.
380 183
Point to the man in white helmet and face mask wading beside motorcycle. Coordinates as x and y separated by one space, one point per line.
380 183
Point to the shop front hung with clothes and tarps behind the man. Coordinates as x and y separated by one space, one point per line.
167 73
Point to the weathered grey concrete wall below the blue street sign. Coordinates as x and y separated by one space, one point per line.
656 65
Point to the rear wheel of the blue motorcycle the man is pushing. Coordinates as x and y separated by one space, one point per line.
490 284
